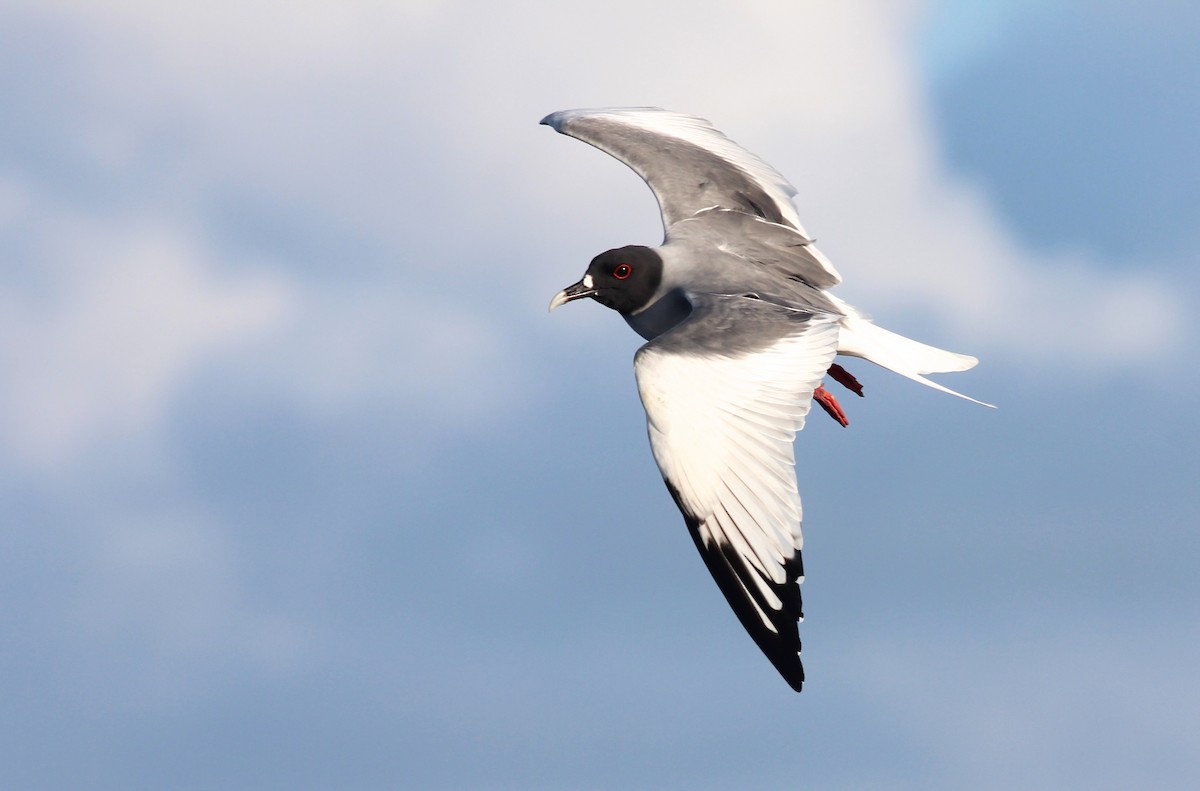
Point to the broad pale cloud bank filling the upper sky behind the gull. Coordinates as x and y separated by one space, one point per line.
359 123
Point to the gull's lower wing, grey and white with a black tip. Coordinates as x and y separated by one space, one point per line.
725 394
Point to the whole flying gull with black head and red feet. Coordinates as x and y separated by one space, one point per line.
741 332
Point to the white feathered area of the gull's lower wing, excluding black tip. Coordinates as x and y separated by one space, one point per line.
722 430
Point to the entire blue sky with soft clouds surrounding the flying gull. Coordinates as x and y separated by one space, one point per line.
304 489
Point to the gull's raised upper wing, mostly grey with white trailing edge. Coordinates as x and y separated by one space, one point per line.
689 165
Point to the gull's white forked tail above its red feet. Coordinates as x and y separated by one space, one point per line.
861 338
